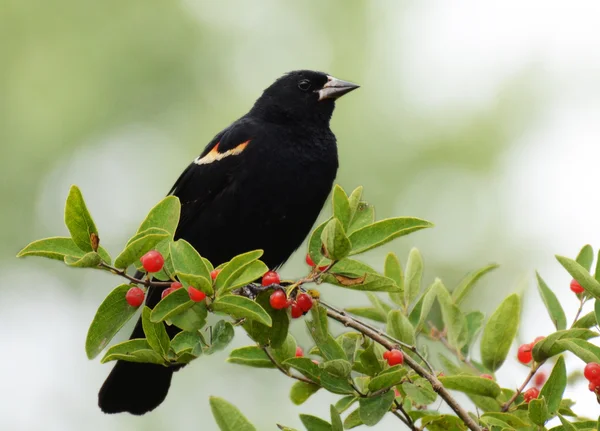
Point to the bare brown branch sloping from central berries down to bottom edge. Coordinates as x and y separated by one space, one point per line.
435 383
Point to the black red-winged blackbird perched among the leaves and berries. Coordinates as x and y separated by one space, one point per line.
259 184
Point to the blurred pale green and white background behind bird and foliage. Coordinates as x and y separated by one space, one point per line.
480 118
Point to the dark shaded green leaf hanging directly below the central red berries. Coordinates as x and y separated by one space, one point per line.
264 335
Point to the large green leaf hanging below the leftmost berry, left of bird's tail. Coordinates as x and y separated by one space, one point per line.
112 314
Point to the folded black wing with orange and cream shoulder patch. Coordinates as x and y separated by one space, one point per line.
213 173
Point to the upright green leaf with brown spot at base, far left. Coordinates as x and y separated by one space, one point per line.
79 221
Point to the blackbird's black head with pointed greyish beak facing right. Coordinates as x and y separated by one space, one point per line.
302 96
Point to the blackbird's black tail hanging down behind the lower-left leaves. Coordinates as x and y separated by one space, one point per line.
134 387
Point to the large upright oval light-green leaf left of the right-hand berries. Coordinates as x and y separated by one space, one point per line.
499 332
